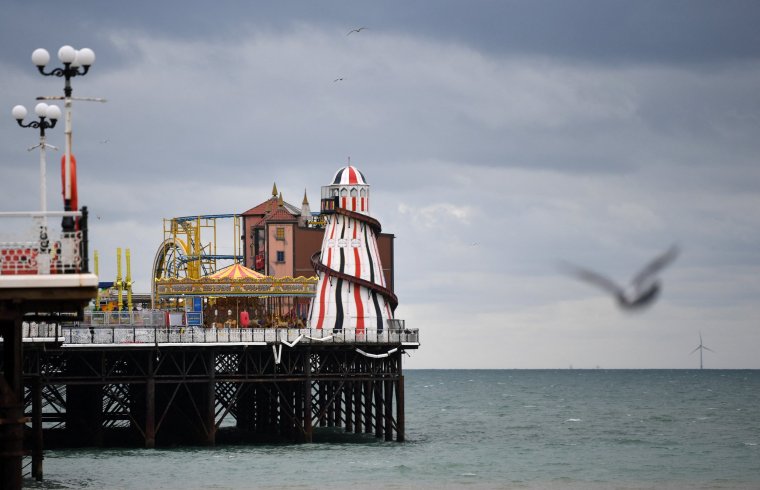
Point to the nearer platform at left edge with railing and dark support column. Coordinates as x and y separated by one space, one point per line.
44 279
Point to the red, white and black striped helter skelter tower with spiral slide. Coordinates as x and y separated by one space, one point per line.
351 292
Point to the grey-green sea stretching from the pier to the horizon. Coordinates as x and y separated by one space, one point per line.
486 429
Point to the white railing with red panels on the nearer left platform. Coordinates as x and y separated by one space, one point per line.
30 243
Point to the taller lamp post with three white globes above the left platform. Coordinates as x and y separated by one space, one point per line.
75 63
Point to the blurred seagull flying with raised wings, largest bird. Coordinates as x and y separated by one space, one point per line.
644 287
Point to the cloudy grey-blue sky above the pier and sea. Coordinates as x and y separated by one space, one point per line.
500 139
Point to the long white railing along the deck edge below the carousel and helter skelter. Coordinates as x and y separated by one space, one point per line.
136 336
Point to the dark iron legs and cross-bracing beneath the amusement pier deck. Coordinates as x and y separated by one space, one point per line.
162 395
